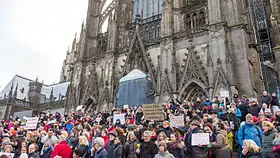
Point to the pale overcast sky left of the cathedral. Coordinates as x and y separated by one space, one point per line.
35 35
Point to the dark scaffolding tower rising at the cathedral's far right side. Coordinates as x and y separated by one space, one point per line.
262 27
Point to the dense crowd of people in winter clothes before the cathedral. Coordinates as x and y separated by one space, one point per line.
241 127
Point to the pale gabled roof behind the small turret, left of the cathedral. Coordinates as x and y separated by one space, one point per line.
23 87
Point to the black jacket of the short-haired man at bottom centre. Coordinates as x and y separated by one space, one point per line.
148 150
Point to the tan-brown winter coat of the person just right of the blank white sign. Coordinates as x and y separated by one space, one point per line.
221 145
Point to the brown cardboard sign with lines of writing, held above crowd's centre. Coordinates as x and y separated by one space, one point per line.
153 112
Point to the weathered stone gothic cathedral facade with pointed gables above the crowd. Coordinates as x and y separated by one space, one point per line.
188 48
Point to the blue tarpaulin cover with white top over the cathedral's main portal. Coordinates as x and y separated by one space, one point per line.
135 89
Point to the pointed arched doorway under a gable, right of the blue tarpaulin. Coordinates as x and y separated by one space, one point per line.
193 90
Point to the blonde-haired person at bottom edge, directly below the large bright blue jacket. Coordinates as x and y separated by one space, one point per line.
251 150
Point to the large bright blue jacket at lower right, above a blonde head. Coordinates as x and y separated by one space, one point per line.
252 132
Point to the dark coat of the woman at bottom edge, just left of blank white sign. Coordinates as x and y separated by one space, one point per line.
176 149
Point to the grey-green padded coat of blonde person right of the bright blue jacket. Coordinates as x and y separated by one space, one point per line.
268 138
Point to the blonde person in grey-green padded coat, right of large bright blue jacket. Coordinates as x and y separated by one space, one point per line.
269 133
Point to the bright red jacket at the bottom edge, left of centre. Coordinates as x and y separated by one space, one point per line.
62 149
